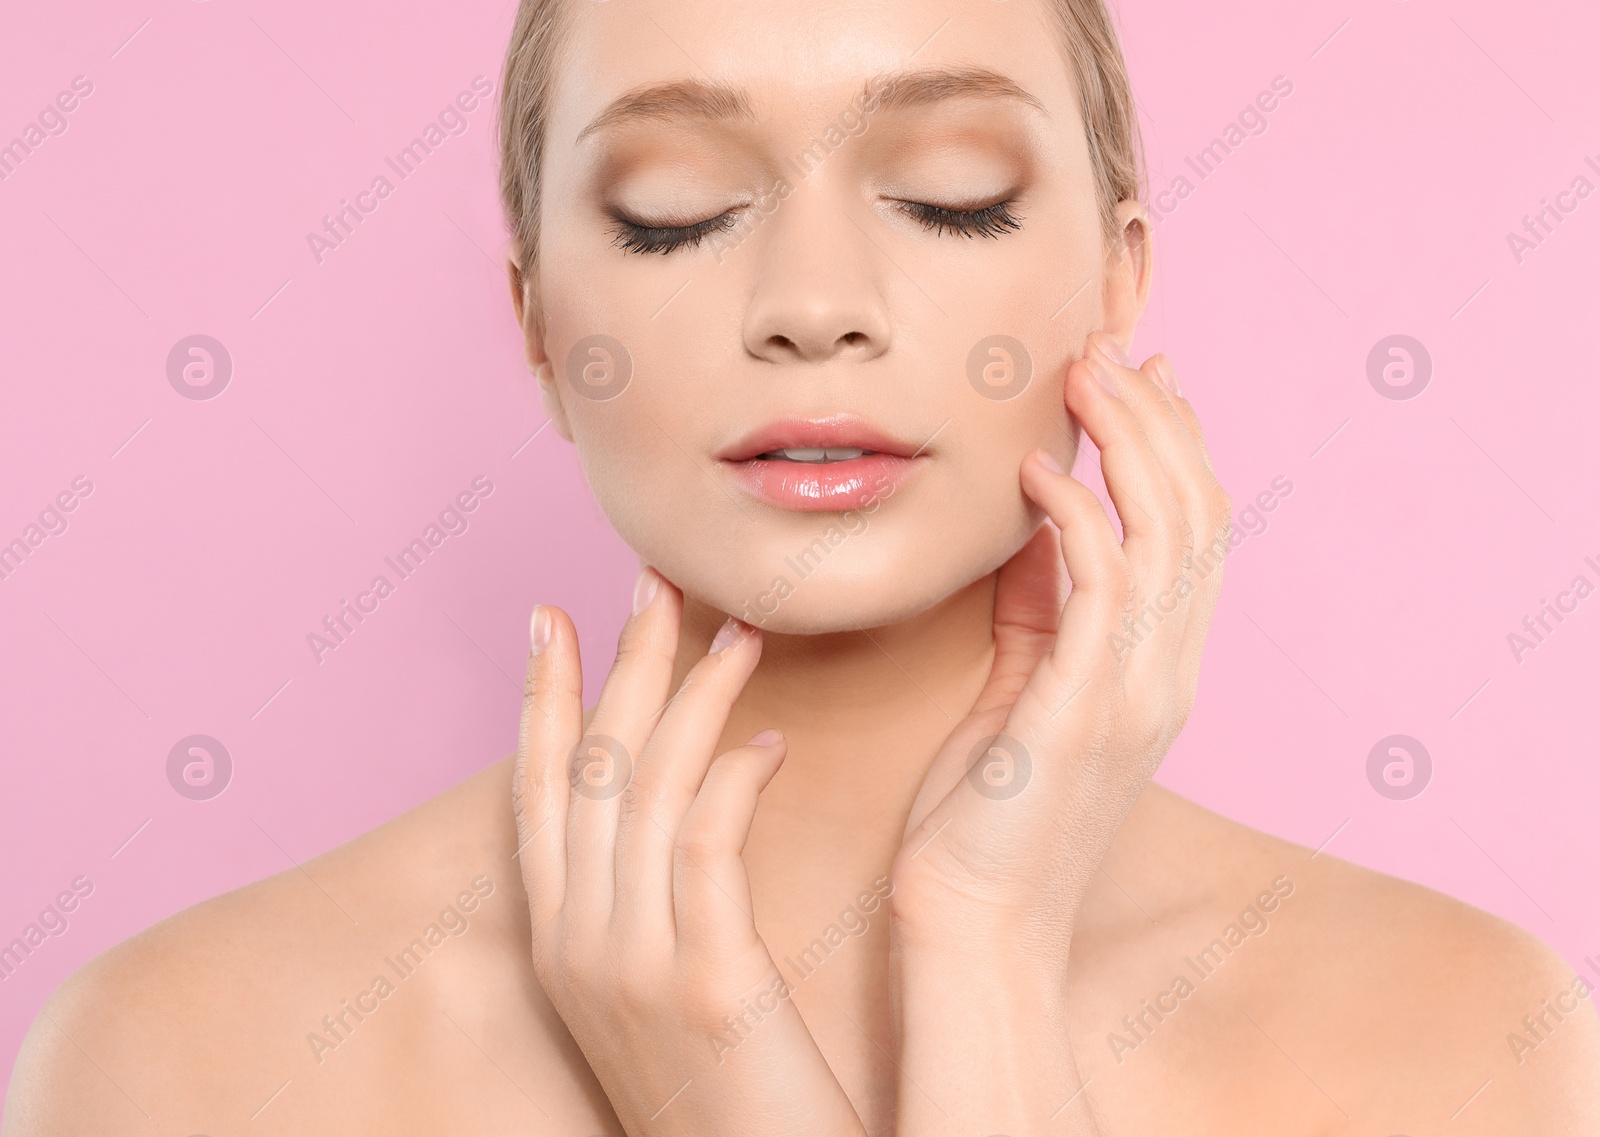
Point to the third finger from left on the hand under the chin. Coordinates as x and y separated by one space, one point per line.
673 768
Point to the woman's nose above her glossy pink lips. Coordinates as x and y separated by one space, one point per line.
818 295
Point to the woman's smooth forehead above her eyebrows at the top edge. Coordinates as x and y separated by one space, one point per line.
791 60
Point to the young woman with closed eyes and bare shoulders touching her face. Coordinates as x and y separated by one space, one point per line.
860 836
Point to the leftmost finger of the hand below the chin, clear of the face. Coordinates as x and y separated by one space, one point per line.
551 724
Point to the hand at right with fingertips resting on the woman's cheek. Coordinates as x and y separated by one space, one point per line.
1084 700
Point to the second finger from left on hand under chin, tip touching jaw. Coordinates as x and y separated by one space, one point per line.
604 764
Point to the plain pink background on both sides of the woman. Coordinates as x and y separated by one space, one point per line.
374 388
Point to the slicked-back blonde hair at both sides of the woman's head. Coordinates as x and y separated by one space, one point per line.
1105 102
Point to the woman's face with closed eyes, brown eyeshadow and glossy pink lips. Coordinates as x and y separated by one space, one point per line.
809 282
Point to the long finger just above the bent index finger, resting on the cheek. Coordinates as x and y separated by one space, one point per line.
1135 479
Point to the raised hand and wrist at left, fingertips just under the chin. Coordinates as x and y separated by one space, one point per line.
631 842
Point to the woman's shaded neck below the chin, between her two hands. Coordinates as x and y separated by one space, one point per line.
863 712
